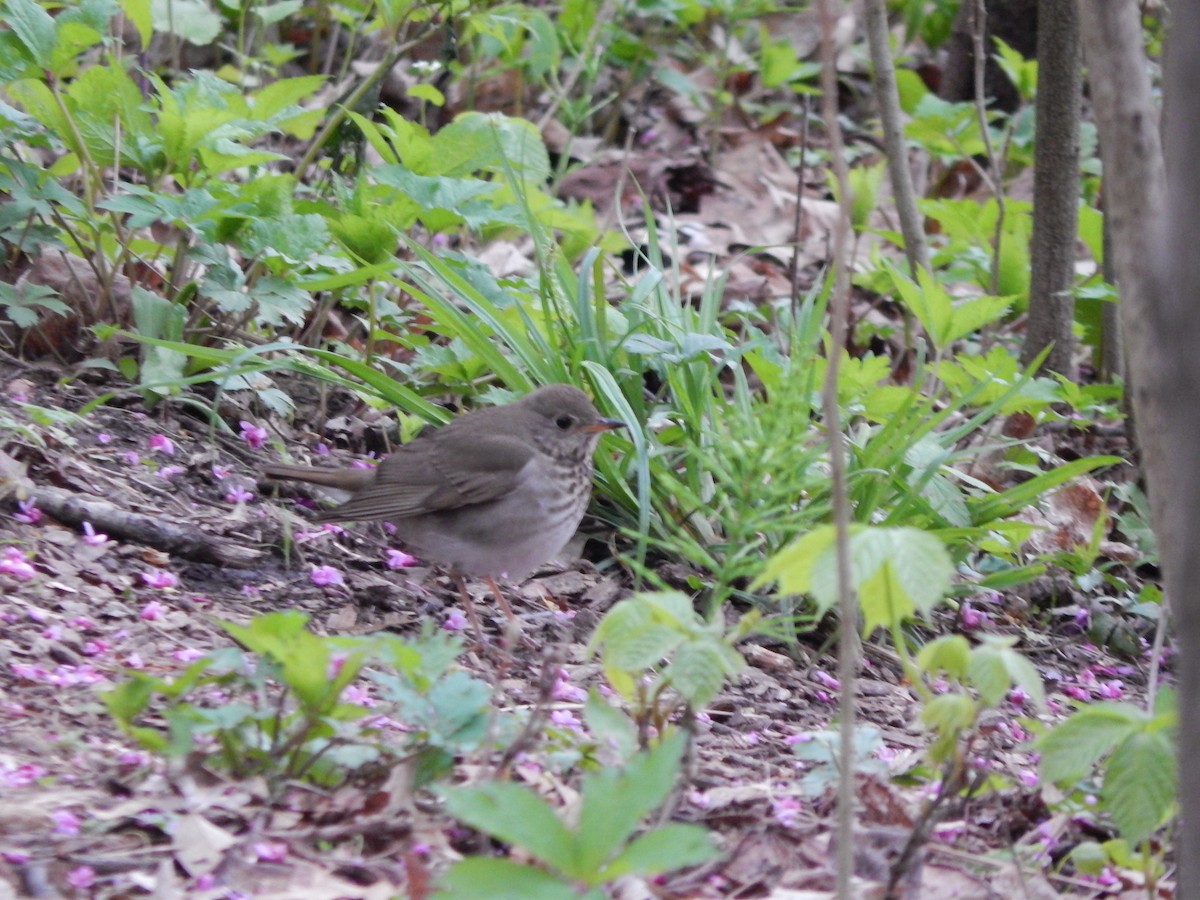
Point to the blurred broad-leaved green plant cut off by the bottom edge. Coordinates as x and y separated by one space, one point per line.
575 861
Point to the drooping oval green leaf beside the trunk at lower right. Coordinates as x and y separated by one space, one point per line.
1139 789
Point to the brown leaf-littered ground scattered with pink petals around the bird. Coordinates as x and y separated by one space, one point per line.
87 807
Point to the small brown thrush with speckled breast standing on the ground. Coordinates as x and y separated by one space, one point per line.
495 494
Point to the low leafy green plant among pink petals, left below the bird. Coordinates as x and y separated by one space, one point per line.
281 713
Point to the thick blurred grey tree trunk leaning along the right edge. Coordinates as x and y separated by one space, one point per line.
1155 239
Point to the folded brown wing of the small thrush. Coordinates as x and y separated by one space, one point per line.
449 471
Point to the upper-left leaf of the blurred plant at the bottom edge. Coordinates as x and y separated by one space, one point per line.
515 815
